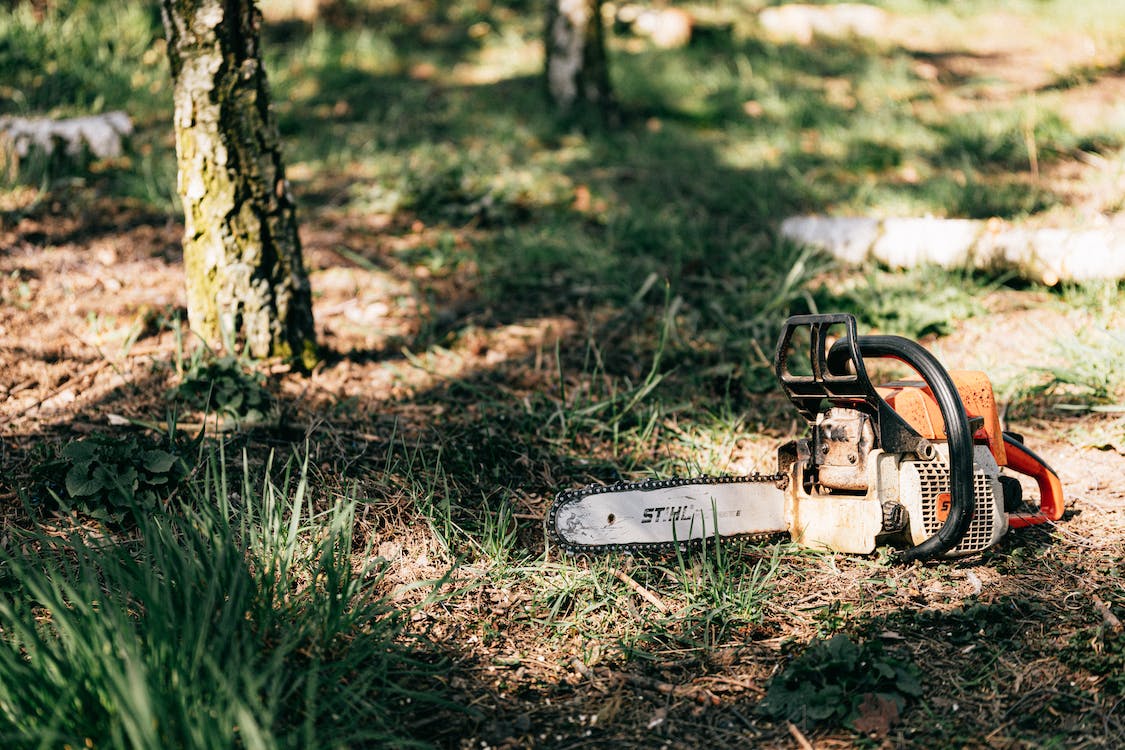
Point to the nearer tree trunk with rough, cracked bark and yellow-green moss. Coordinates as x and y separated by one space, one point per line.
246 279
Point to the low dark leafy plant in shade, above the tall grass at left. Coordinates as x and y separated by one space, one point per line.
111 476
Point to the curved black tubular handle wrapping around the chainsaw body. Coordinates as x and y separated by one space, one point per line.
957 430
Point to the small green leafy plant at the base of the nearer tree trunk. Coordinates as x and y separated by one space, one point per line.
224 387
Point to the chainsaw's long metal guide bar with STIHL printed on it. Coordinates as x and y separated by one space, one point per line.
659 516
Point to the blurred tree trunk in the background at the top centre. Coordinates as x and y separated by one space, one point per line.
578 73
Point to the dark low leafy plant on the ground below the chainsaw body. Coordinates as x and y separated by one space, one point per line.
834 682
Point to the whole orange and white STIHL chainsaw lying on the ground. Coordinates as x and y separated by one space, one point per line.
922 466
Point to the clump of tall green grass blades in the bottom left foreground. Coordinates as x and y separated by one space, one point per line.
213 625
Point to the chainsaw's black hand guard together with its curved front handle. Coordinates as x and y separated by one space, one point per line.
831 379
